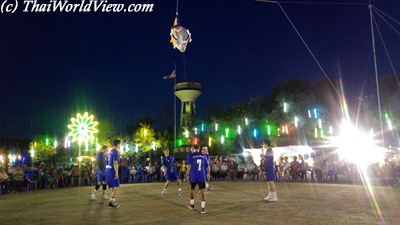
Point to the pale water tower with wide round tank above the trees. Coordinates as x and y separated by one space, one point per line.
187 92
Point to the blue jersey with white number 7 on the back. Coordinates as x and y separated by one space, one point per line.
198 163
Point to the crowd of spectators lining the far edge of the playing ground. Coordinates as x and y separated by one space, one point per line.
20 177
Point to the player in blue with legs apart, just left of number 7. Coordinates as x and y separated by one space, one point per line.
170 173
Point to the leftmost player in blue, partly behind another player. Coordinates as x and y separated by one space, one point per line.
101 159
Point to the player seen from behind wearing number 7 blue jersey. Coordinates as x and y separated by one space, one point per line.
199 172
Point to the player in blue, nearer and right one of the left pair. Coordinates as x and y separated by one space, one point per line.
112 173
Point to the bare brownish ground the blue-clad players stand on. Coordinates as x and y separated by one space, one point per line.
227 203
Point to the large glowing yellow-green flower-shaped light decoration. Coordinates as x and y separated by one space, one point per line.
83 128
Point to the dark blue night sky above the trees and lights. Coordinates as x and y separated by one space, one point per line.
53 65
